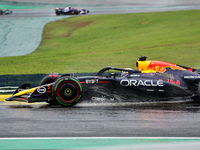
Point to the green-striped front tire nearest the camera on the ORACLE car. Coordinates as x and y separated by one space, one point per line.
67 91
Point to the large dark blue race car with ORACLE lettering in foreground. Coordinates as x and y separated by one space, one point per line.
153 81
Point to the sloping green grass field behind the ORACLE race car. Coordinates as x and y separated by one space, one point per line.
88 43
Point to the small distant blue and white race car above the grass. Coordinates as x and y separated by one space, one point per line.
70 11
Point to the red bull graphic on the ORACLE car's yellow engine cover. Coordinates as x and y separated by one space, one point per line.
160 66
